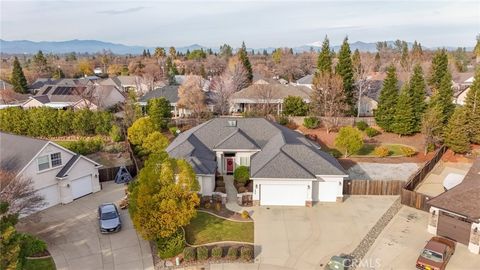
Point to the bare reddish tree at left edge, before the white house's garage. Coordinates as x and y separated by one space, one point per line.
19 193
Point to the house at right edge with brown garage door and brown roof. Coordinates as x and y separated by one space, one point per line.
455 214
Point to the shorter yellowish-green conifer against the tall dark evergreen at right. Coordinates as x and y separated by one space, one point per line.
443 97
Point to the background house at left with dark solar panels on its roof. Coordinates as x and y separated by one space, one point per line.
91 96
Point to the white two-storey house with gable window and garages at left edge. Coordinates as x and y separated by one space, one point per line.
58 174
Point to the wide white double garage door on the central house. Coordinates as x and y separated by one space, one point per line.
283 194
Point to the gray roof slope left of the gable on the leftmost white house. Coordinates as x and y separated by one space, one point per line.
17 151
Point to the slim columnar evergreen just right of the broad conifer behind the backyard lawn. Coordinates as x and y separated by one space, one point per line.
417 86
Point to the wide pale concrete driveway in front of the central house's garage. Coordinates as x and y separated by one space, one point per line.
306 238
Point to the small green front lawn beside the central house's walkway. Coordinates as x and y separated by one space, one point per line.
206 228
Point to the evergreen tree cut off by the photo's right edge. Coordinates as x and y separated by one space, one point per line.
472 106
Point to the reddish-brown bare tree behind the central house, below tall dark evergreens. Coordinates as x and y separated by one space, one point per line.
328 98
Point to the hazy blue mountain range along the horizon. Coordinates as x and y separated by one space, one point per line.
94 46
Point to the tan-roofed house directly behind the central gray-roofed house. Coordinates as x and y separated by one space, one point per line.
267 97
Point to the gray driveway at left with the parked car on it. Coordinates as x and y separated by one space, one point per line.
75 242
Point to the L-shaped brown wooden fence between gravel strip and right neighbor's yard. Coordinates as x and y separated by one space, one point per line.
409 196
